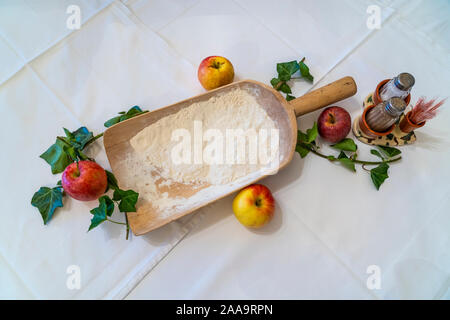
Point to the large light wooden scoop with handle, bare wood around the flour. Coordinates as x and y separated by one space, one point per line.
283 113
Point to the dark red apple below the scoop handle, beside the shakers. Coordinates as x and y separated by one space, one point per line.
334 124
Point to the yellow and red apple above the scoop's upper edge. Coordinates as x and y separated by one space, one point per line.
214 72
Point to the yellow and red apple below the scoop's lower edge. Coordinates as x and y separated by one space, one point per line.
254 206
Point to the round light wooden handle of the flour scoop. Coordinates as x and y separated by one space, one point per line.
322 97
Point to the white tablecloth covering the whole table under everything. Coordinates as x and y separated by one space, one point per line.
329 225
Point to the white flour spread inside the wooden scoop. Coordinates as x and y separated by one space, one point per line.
151 166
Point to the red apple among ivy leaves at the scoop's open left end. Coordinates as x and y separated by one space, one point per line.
84 182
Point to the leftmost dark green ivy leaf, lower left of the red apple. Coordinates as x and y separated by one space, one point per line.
47 200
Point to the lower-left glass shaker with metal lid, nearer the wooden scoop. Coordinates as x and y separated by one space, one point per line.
385 114
